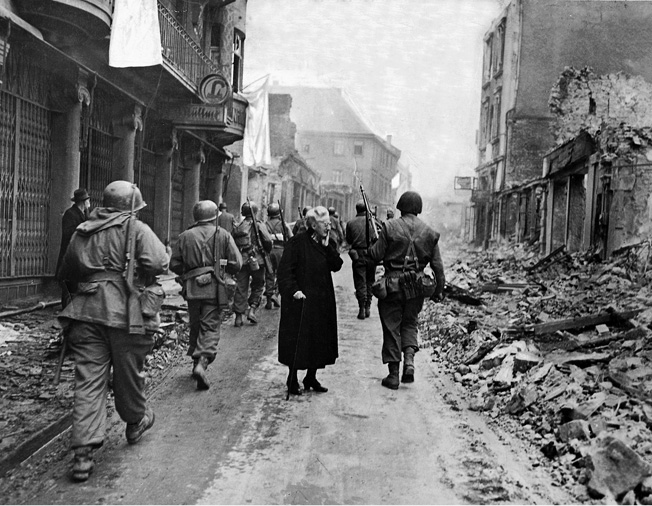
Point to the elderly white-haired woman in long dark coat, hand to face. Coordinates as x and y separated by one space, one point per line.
308 327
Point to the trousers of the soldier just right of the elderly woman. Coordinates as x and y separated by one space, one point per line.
399 317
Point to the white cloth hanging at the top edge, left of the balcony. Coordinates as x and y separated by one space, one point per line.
135 34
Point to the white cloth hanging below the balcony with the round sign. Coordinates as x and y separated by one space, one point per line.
255 147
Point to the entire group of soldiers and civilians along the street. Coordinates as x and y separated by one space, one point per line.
112 260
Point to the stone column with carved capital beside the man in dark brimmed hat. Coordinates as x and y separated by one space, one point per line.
66 128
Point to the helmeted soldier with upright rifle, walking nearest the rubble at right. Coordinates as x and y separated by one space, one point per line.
406 245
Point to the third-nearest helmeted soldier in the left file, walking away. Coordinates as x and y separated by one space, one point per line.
250 280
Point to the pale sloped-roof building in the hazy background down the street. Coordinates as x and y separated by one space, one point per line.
337 144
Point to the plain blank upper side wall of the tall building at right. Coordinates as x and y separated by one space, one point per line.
608 36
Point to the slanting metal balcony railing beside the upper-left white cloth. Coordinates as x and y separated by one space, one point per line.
180 51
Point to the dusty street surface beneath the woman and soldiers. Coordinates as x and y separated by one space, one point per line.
242 442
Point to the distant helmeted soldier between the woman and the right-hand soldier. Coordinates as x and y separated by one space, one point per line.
364 269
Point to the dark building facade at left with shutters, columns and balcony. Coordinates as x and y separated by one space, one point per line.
70 120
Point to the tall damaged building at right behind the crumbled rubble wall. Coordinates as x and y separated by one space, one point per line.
524 182
